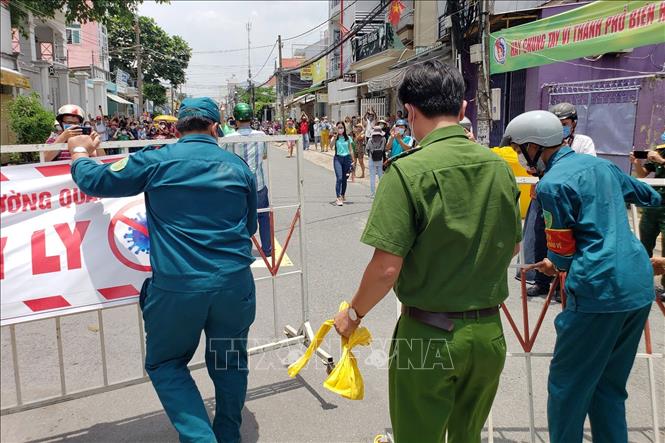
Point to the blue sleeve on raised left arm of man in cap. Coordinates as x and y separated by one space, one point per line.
128 176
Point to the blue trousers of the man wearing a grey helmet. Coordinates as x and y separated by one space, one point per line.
593 356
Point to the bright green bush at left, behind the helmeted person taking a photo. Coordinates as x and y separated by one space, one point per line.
31 123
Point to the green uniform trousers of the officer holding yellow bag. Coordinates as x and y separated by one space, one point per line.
444 381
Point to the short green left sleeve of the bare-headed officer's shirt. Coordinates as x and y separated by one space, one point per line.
391 226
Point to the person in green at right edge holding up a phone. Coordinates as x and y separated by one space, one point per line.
652 222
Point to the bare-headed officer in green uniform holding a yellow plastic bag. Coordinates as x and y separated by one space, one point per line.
445 225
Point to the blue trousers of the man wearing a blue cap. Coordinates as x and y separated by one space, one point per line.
173 325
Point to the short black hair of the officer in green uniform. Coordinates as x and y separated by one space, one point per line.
434 88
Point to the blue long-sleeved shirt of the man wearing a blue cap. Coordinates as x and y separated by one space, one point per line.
201 208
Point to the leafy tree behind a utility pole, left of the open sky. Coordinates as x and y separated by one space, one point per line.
162 56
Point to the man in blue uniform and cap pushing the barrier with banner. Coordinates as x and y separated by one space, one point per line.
201 209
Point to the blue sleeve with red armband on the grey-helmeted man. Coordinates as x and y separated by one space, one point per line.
560 209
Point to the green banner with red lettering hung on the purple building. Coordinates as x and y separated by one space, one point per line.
596 28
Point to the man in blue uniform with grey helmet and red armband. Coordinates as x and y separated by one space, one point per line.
610 278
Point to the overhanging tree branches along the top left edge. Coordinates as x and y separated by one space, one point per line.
79 11
